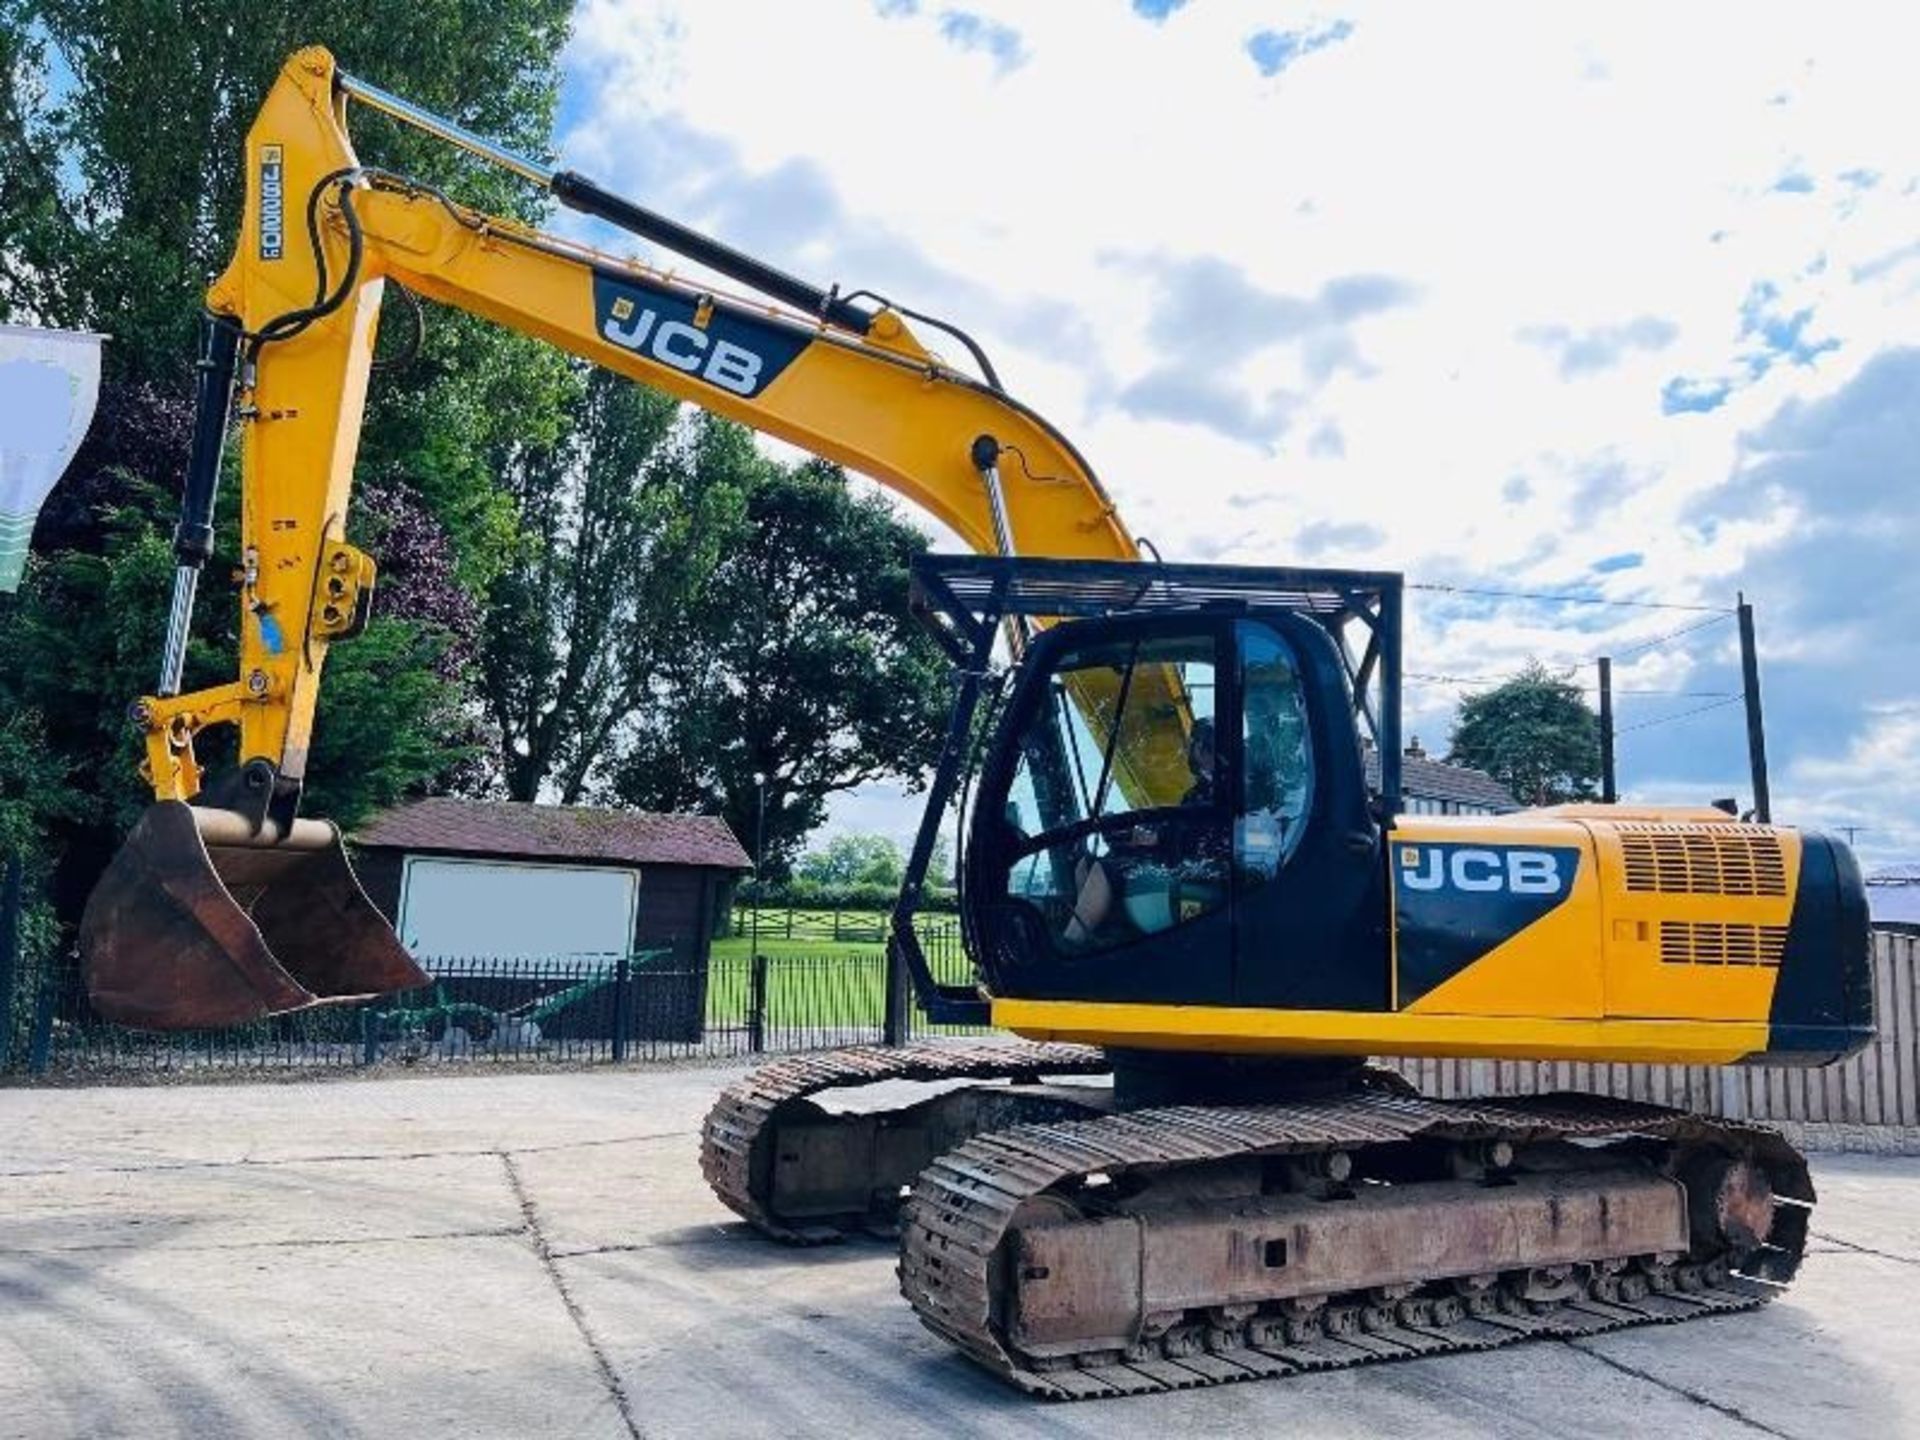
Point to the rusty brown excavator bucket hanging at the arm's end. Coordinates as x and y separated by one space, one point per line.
201 923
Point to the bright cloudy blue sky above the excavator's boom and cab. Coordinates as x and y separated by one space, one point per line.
1616 300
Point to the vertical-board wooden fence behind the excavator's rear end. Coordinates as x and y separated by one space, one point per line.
1877 1088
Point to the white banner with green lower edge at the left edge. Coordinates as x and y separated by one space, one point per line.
49 387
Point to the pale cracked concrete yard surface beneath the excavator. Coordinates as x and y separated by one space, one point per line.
539 1257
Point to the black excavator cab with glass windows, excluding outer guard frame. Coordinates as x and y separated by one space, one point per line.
1095 882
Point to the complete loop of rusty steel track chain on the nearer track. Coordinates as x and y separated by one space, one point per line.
965 1205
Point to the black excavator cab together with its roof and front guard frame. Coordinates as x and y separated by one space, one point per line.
1174 804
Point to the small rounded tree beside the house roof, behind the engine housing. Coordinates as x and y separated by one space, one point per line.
1535 734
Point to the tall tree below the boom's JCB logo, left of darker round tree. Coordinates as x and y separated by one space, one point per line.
619 531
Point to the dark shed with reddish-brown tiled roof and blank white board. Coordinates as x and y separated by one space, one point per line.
502 878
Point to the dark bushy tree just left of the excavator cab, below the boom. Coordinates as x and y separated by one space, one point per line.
802 665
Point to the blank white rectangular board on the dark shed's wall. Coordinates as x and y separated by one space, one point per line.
496 909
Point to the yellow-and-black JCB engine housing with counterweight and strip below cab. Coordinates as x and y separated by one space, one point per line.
1575 934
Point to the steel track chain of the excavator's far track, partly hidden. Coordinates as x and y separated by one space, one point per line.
742 1124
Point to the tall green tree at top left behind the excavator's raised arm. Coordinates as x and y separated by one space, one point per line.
120 197
